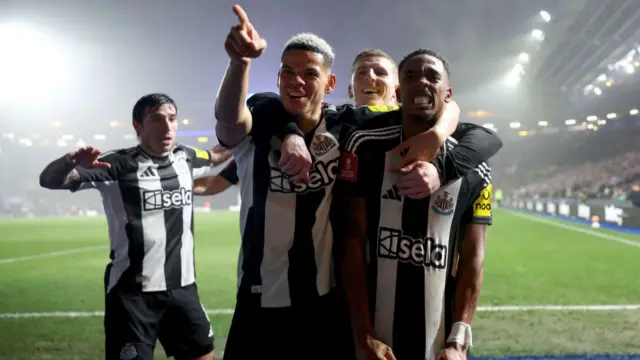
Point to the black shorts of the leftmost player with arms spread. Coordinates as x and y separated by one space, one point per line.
134 321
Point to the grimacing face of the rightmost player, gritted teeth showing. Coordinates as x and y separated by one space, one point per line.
424 87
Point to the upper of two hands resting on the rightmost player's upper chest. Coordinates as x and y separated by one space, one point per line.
422 147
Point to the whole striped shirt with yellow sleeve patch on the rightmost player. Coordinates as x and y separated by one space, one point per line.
411 243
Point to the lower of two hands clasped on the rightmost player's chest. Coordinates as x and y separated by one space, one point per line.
419 180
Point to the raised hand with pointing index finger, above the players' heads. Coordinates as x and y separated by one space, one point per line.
243 42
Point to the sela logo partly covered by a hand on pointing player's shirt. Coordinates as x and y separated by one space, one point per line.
322 174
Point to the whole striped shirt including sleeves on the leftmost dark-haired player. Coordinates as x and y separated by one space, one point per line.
148 204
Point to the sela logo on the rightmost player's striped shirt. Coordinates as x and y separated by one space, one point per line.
392 244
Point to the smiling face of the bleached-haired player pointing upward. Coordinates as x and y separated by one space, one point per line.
303 81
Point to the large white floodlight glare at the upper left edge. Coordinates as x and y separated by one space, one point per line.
32 63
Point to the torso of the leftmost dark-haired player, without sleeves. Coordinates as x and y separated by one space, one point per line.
155 202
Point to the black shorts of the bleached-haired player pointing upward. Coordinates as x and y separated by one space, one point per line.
318 331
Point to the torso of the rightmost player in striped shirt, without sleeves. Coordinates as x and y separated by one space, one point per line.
410 253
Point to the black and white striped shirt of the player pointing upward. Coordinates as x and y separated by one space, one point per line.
286 253
